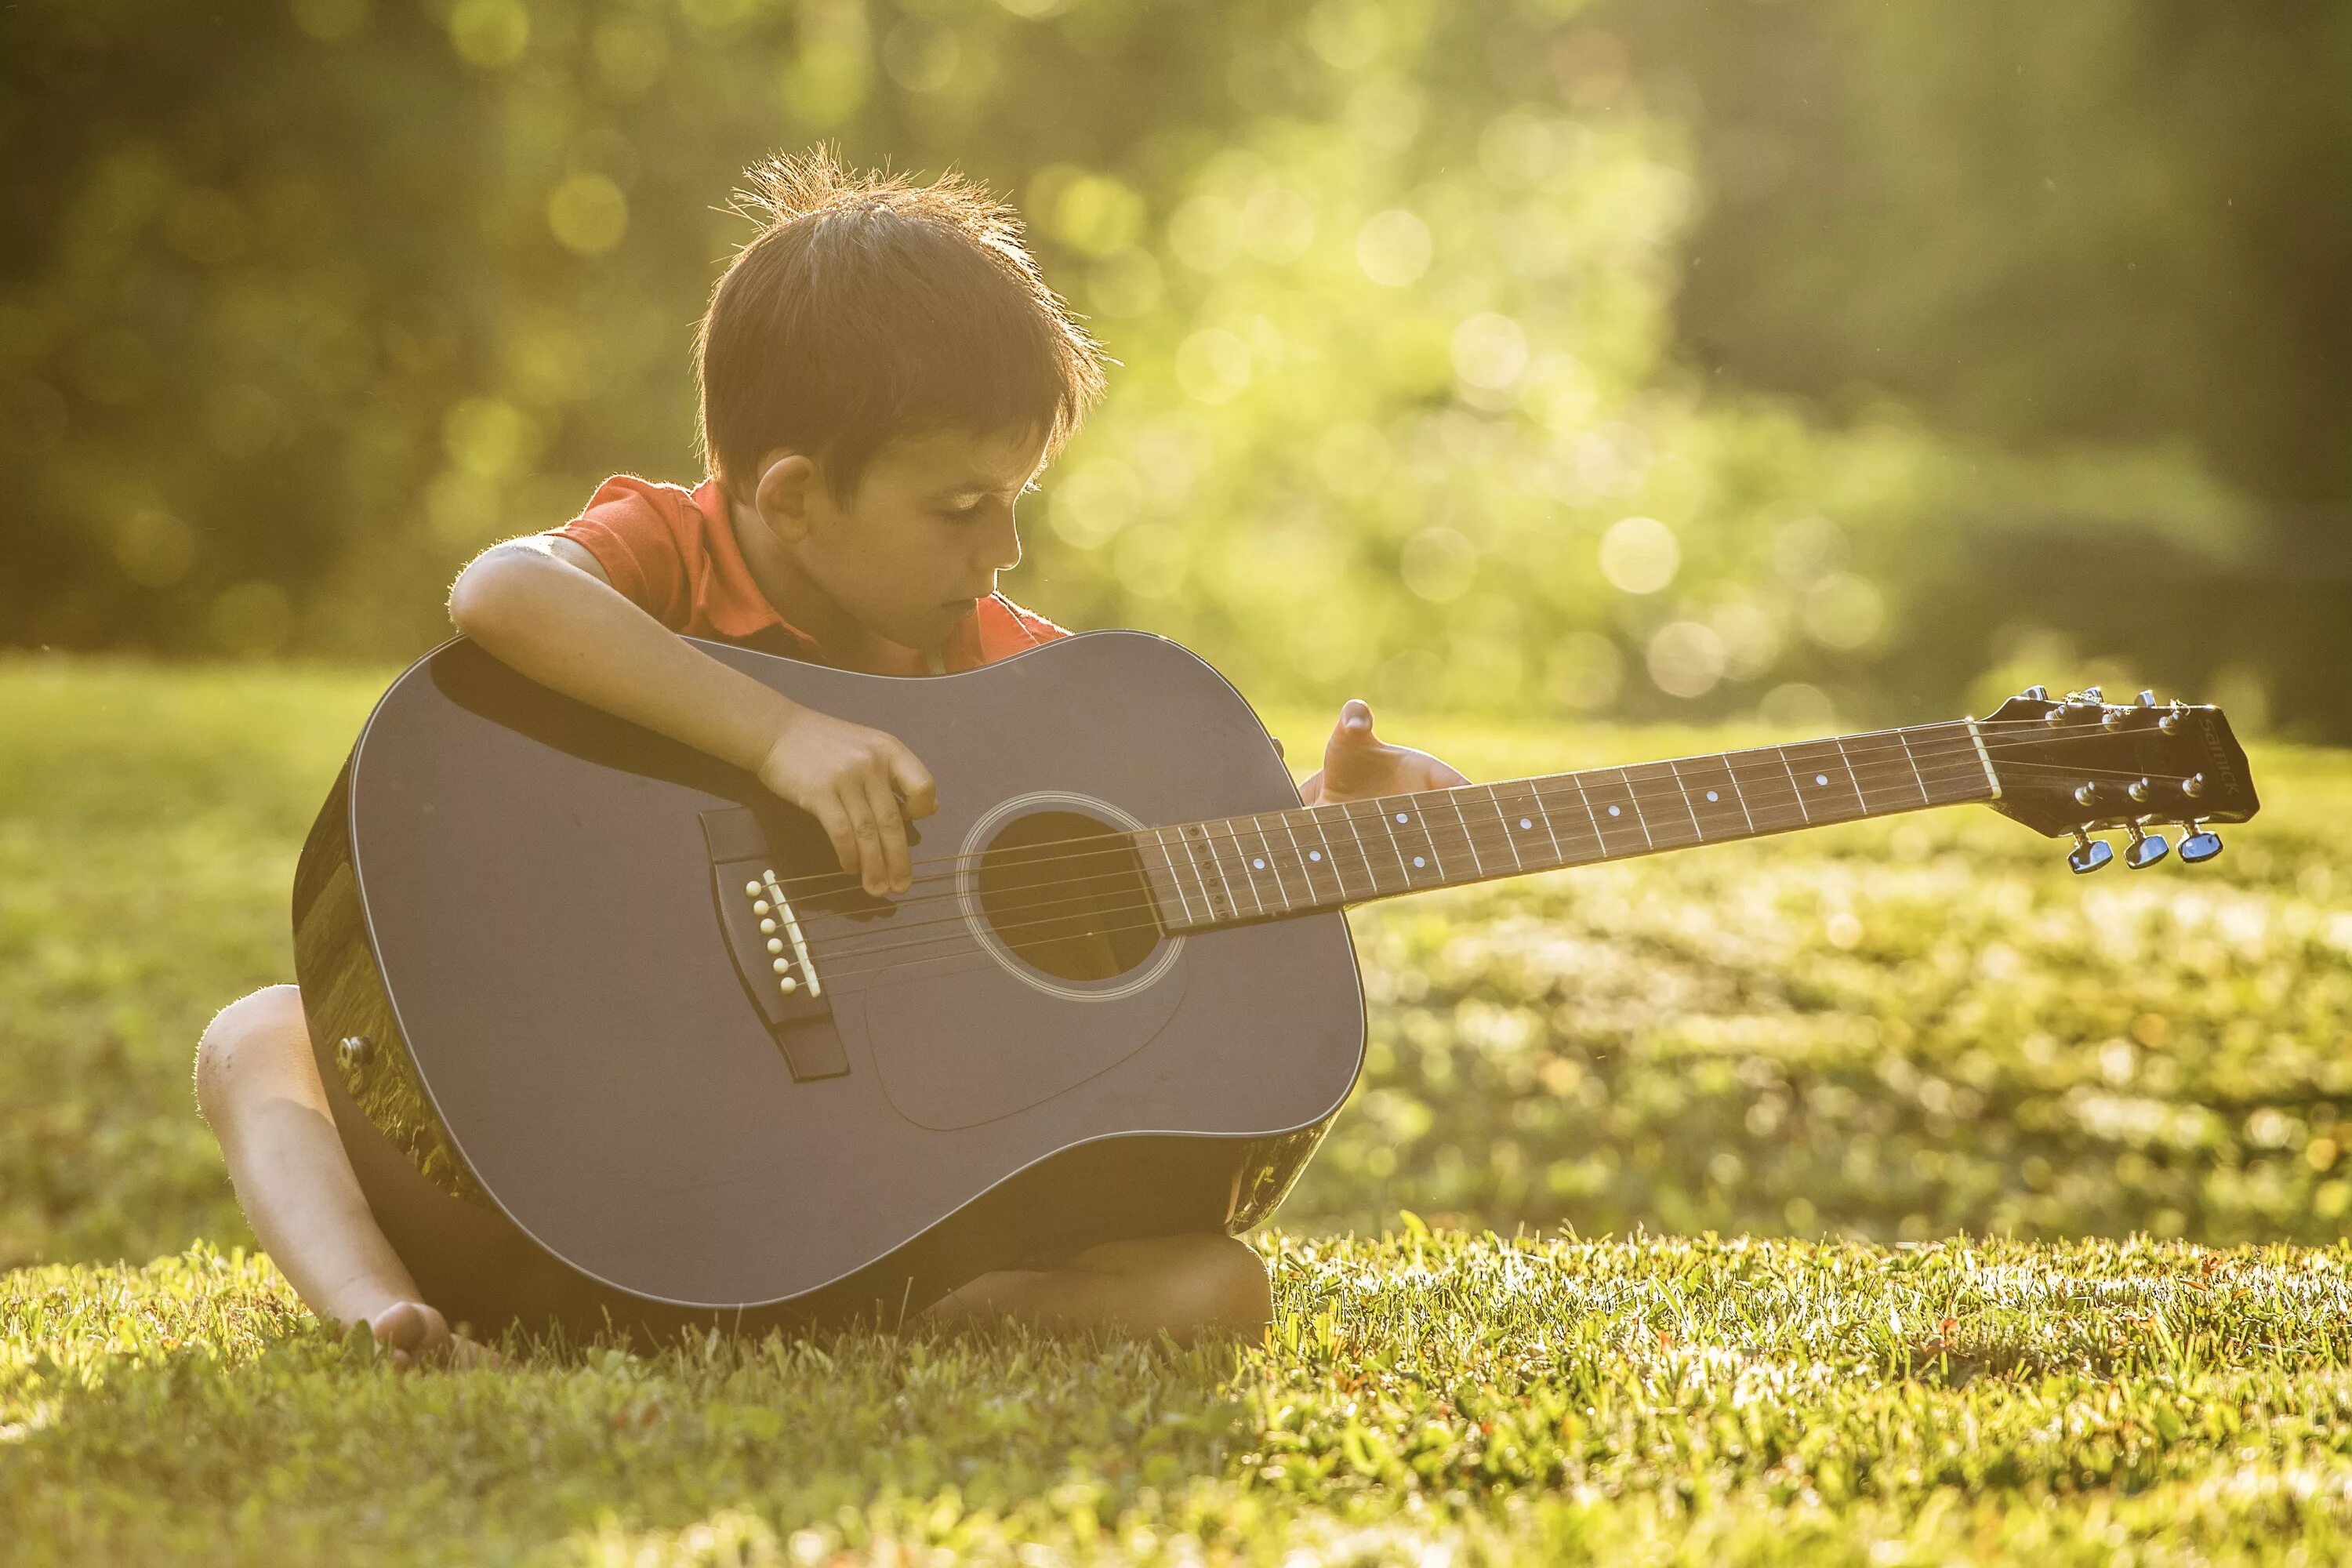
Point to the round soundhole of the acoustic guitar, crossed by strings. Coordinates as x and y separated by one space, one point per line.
1069 897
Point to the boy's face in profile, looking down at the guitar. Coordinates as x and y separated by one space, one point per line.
926 535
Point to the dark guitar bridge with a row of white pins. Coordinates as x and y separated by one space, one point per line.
768 946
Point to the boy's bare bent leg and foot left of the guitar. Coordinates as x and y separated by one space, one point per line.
258 1085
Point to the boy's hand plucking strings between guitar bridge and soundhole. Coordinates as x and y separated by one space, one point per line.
853 782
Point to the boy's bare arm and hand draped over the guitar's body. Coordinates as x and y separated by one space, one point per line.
544 608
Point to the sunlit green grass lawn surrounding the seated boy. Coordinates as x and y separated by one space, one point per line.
1847 1050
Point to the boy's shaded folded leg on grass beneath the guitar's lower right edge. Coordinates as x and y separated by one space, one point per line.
1180 1285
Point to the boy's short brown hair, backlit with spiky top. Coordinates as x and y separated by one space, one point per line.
871 309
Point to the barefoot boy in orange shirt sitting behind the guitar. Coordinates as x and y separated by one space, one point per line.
883 377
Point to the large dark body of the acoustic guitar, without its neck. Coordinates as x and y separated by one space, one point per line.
573 1097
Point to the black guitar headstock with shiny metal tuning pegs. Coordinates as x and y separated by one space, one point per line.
2085 765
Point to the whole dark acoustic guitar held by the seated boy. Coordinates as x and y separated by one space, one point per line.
615 1043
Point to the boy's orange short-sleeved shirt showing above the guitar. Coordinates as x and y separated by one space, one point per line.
671 554
